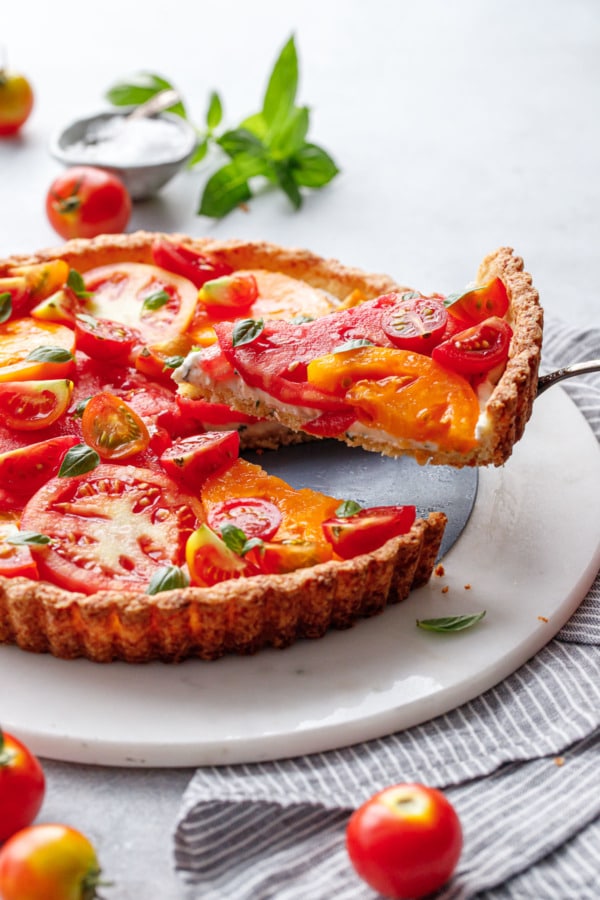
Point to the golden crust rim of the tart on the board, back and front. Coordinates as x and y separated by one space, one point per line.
240 616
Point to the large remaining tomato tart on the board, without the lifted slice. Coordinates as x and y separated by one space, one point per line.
131 528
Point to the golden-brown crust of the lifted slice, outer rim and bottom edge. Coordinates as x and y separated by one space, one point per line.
508 408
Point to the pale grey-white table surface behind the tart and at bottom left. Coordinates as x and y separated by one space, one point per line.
459 126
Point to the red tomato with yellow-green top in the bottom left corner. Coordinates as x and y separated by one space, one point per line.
48 862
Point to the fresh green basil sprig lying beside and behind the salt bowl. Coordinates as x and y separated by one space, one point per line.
271 144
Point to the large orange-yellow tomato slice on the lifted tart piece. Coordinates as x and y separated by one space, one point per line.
404 394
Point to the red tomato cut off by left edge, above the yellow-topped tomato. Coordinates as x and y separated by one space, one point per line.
22 786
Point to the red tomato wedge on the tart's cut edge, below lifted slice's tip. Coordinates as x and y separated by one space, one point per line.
192 459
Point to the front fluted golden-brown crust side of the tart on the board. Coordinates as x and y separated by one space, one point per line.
240 616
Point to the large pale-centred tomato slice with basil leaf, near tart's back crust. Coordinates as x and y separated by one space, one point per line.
156 303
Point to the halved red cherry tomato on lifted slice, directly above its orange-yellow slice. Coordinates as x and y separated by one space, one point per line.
477 349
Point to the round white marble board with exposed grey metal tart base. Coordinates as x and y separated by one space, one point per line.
528 555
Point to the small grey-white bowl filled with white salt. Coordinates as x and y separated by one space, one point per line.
145 153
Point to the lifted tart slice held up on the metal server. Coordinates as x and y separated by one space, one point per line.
448 380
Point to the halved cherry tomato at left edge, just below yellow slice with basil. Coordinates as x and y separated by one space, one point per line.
31 405
